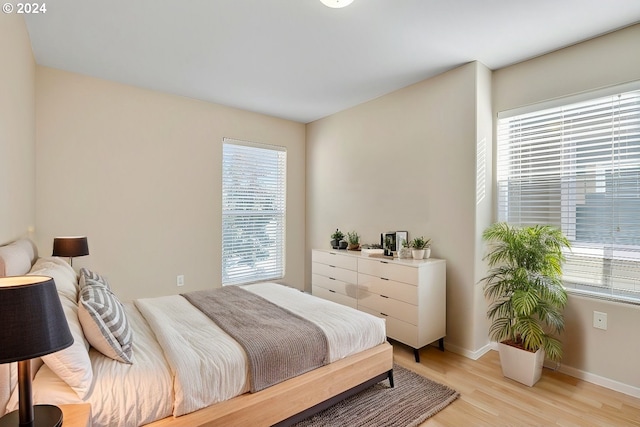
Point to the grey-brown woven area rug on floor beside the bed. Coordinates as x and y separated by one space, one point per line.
413 399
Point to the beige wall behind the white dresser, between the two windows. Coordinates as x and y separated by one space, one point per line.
407 161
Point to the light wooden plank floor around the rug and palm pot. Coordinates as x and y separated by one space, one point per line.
489 399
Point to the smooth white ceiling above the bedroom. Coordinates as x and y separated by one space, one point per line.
298 59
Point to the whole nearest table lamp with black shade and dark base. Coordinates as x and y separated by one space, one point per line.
33 324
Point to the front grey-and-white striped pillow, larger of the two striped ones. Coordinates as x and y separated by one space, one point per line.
104 323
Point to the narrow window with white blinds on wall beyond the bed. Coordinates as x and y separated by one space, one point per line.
253 212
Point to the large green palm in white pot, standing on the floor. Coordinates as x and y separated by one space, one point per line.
524 287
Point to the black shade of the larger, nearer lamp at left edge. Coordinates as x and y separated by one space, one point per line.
32 318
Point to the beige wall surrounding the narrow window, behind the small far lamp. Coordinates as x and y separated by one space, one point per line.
139 173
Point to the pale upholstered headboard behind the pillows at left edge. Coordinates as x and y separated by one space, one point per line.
15 259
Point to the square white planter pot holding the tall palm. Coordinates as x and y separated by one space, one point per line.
521 365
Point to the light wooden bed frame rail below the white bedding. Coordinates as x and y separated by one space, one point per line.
303 395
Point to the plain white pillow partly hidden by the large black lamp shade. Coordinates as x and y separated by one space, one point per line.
73 364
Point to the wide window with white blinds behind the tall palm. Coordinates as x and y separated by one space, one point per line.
577 167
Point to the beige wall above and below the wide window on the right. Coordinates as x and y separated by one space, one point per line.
606 357
